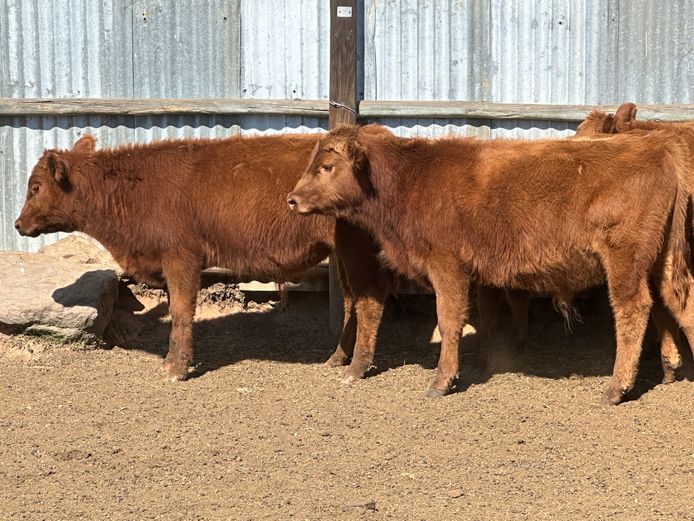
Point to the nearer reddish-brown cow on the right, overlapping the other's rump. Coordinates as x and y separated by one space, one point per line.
536 216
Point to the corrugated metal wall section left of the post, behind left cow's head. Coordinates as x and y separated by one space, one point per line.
149 49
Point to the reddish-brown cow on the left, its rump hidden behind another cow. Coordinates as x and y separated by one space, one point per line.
169 209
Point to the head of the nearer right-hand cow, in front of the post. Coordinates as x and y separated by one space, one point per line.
337 178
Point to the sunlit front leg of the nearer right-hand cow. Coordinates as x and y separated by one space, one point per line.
451 285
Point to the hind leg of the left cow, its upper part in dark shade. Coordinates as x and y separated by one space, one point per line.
367 285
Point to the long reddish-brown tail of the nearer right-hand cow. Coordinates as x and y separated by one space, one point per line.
680 230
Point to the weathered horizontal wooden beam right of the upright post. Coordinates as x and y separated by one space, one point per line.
491 110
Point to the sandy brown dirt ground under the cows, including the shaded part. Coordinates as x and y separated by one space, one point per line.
265 431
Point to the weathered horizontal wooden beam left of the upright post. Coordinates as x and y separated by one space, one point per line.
158 107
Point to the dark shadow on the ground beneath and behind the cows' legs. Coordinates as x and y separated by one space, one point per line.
300 334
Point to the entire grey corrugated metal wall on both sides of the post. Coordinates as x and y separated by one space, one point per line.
522 51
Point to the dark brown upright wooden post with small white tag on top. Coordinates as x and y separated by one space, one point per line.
343 107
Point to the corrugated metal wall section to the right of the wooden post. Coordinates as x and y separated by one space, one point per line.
527 51
